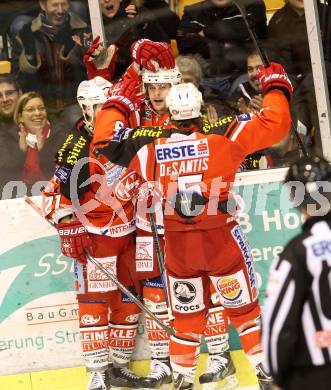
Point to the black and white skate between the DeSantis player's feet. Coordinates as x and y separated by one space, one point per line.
220 366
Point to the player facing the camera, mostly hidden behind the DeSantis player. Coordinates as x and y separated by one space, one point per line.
154 112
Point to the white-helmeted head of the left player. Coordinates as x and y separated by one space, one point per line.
90 94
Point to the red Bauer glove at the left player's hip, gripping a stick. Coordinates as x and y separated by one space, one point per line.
74 240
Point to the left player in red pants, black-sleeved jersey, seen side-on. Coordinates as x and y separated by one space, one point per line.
109 238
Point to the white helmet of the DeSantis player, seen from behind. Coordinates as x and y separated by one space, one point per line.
184 102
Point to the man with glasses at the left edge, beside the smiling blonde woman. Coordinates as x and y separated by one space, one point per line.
11 159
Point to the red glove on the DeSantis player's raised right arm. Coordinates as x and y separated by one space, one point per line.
275 77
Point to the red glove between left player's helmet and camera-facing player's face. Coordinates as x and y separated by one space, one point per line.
126 96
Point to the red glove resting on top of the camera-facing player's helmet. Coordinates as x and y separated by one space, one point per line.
144 52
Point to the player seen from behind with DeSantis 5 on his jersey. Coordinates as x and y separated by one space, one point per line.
195 172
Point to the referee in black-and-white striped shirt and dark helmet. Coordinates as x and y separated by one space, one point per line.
296 320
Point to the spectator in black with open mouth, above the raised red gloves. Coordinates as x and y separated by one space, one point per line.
125 23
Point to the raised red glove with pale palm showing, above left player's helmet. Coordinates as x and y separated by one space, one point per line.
99 61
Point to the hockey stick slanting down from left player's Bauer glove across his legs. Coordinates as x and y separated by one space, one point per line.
110 275
